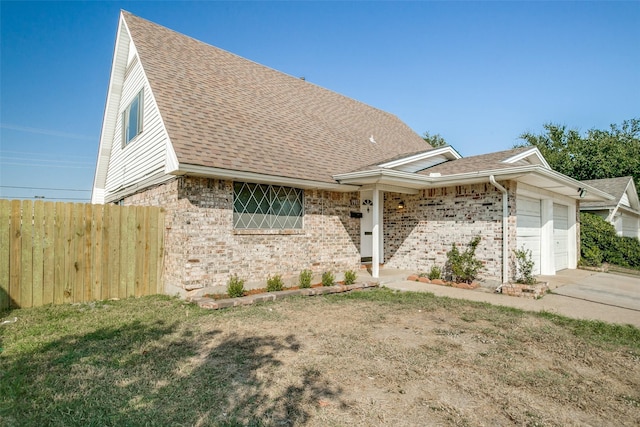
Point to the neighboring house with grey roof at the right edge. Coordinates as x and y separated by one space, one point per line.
623 211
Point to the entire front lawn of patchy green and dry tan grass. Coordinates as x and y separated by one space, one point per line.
365 358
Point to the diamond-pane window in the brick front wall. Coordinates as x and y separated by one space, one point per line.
260 206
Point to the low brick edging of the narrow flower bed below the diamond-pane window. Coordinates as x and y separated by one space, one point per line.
213 304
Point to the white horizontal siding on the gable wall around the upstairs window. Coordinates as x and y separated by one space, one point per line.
142 160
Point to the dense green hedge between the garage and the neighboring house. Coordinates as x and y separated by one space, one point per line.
599 243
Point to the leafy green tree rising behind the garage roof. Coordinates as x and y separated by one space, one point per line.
598 154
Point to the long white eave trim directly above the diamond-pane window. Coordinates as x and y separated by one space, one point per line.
233 175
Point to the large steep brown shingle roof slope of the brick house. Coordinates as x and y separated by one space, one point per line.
224 111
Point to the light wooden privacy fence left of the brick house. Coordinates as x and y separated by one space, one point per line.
55 252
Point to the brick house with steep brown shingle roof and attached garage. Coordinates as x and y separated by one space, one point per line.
263 173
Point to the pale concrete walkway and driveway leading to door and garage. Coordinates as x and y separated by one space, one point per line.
579 294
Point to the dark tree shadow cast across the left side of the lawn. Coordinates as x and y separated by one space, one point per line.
159 374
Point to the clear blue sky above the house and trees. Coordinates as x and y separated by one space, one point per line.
477 73
